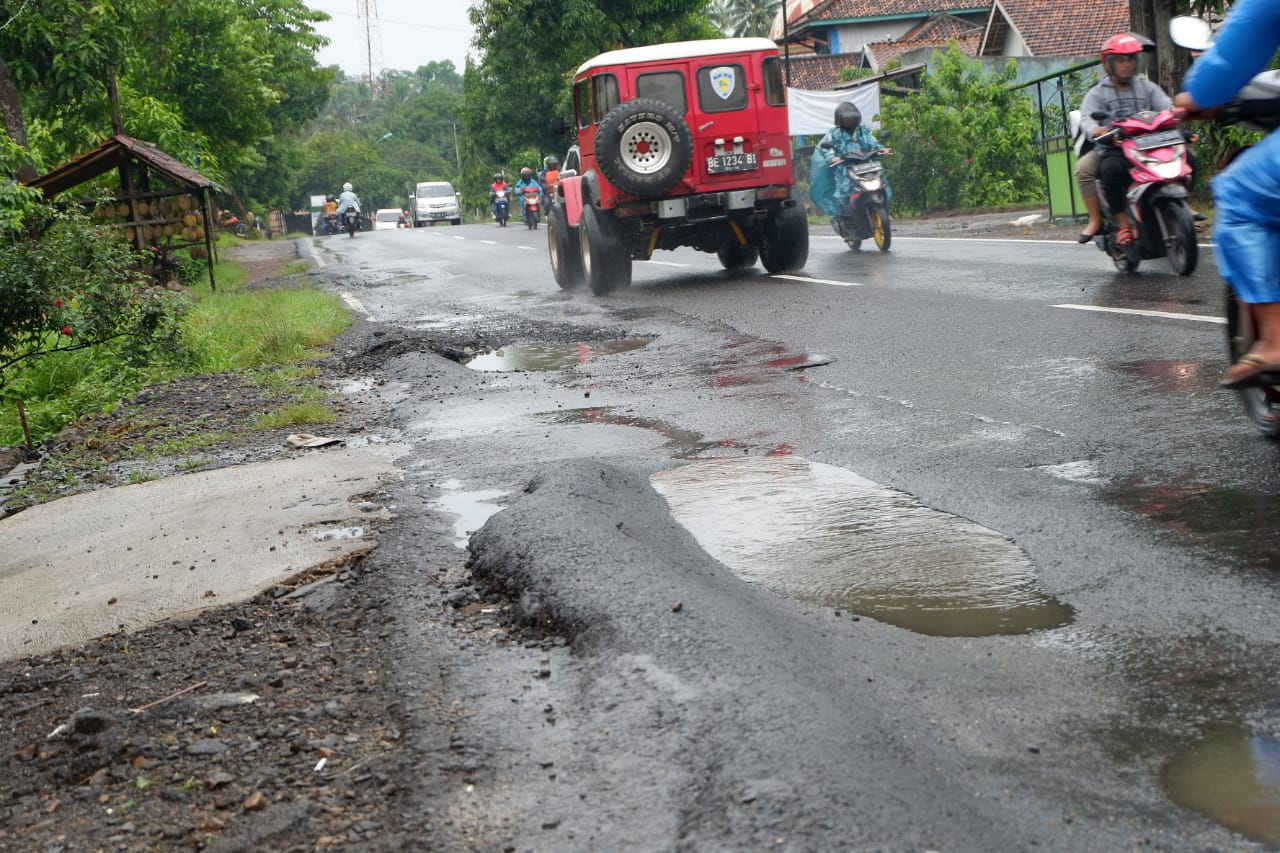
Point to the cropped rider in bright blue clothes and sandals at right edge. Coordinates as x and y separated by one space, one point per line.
1246 194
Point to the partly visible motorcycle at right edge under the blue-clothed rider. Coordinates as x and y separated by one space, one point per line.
1255 108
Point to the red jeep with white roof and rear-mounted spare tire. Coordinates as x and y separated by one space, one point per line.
678 145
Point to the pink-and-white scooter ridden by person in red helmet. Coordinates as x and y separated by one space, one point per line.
1155 149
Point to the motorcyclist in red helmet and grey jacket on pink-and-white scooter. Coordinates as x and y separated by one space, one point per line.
1123 94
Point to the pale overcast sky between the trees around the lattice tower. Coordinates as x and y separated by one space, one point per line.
399 34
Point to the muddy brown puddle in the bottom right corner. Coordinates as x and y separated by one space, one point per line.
1232 778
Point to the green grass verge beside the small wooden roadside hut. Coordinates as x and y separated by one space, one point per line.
228 330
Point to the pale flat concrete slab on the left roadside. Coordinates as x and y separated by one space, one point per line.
129 558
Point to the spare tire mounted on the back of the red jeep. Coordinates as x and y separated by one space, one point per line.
644 147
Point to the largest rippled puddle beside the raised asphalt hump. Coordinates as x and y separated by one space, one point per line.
822 535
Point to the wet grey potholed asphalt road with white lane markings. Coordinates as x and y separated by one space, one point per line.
1018 389
